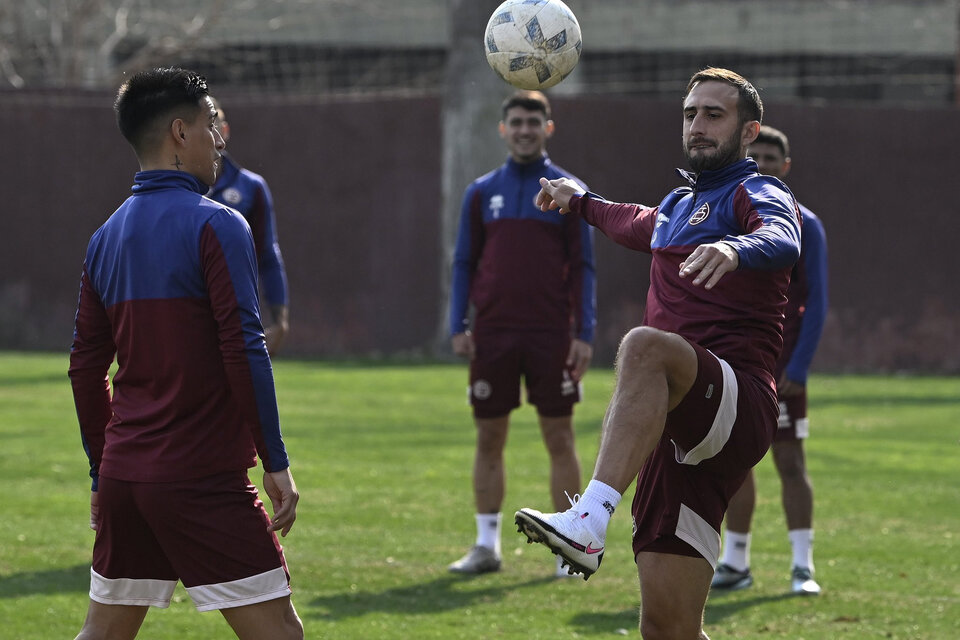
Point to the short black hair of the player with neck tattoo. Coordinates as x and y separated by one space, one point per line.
148 96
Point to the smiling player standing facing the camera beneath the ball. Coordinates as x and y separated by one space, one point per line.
530 278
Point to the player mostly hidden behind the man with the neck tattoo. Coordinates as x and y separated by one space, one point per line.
248 193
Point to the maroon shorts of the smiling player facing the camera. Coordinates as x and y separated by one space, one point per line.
538 356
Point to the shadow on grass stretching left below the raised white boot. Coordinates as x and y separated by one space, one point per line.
436 596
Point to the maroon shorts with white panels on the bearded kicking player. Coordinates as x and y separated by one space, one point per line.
720 430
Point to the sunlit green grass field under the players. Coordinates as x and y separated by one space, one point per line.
383 455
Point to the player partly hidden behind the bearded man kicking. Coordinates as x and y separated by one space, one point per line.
805 314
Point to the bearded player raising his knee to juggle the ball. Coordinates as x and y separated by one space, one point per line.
694 405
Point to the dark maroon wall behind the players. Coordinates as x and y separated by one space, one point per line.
357 190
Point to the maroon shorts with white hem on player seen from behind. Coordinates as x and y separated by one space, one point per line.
209 533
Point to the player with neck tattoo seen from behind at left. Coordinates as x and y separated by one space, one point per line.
169 288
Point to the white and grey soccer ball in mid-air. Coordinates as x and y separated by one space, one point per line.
533 44
